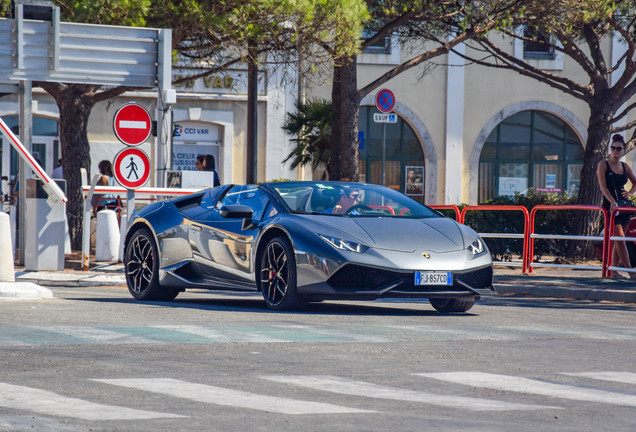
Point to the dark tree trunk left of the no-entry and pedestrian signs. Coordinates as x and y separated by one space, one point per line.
74 113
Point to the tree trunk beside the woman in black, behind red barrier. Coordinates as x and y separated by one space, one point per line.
598 132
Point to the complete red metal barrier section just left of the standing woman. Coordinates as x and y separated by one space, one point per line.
533 235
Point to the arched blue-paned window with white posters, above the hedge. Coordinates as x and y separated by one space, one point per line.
530 149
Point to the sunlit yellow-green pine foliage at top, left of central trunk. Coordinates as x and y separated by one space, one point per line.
207 30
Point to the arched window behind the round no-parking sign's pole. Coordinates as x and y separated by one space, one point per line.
402 151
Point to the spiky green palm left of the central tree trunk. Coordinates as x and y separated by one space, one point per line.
311 125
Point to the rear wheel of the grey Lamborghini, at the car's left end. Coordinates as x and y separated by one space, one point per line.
142 268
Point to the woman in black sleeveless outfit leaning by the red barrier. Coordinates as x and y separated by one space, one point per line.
612 176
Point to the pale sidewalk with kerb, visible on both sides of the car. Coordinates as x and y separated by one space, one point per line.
550 283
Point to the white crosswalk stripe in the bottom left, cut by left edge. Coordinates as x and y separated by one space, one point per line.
45 402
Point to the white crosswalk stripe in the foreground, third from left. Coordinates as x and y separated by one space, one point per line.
359 388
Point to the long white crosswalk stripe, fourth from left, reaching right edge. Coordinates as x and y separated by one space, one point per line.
532 386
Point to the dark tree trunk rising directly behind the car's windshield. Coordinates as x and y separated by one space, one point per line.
344 164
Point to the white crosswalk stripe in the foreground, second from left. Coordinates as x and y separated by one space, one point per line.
228 397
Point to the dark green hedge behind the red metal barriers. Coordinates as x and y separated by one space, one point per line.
546 222
